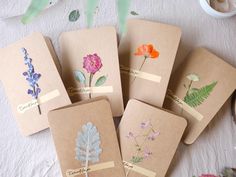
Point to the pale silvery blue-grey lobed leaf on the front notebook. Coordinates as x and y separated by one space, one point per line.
88 145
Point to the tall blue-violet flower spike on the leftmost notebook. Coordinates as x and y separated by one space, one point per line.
32 77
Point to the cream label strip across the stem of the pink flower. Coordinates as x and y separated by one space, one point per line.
86 90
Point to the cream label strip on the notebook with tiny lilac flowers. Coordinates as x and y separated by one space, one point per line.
139 170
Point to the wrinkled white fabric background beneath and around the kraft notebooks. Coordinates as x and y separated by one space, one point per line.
215 149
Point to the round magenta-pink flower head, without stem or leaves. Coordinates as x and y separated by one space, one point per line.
92 63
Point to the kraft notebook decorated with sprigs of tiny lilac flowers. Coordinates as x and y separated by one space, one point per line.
148 138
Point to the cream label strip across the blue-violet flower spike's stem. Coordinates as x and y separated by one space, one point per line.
33 103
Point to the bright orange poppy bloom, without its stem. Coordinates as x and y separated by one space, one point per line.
148 51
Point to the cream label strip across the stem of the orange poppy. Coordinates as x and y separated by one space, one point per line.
140 74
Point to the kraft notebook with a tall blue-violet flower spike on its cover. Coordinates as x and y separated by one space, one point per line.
32 82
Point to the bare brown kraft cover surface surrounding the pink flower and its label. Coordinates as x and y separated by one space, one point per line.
75 46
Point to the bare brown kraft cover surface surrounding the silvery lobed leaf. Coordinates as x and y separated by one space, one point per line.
65 124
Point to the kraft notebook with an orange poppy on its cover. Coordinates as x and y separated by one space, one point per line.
147 52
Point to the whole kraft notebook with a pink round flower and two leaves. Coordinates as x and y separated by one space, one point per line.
90 66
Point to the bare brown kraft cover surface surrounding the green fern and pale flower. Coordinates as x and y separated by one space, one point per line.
209 68
